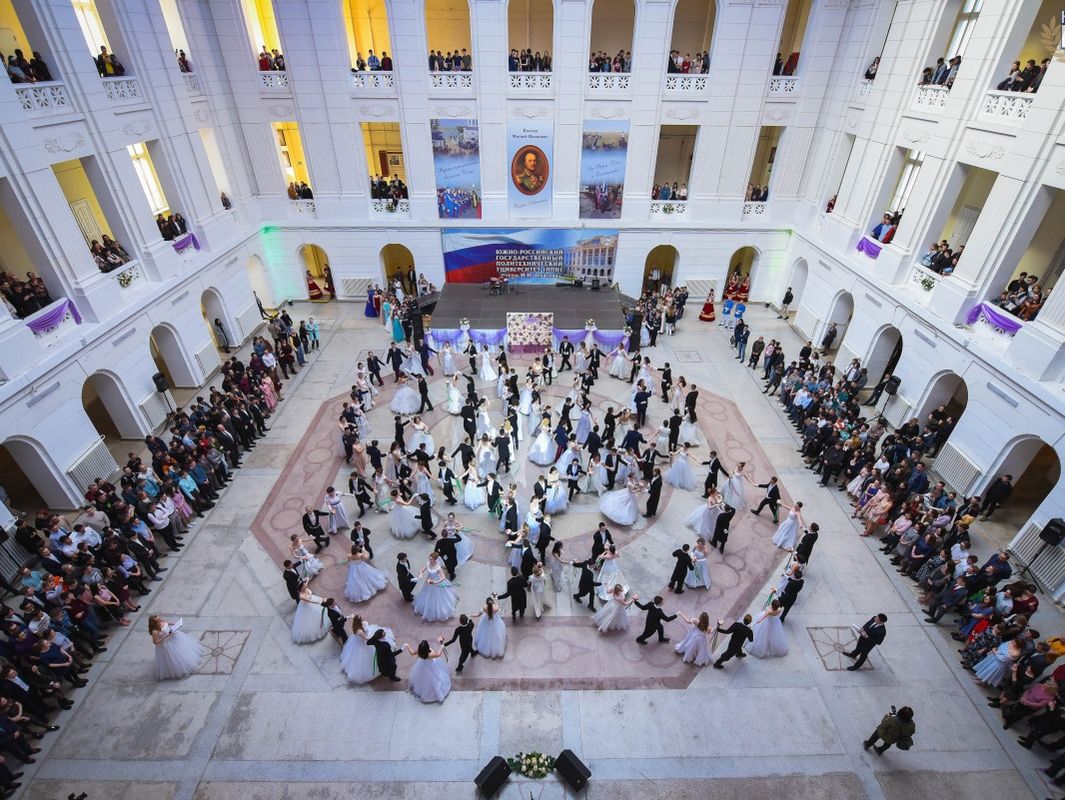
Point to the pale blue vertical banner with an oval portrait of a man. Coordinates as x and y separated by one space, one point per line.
530 151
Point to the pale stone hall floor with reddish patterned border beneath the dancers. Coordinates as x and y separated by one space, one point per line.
268 720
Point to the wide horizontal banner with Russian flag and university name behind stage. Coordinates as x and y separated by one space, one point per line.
529 255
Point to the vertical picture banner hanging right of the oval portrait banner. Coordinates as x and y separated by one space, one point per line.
603 156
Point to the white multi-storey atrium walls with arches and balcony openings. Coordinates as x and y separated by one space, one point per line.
85 156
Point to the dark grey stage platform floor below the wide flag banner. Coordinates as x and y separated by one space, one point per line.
571 307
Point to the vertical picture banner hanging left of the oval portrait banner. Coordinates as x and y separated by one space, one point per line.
456 160
